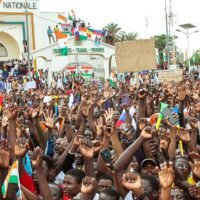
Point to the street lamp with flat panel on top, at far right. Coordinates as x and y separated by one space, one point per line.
187 34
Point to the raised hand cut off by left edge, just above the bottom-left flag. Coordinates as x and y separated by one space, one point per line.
4 154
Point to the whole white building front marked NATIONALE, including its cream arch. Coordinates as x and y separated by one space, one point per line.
13 27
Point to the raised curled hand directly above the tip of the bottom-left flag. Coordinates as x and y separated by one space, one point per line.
21 147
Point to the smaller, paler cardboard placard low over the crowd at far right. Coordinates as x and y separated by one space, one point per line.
170 75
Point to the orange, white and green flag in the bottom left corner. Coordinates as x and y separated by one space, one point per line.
12 178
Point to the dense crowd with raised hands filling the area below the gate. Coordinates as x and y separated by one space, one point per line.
82 141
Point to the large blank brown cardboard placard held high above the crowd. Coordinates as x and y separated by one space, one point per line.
136 55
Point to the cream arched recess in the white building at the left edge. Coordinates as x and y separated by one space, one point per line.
11 46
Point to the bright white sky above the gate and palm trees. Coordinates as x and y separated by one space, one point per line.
130 15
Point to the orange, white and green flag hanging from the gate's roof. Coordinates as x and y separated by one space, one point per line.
62 42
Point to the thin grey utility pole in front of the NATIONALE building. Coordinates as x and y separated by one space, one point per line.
28 45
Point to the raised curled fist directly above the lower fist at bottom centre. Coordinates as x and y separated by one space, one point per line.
86 148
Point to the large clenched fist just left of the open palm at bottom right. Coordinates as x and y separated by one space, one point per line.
131 181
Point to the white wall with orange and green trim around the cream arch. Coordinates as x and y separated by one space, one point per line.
38 23
